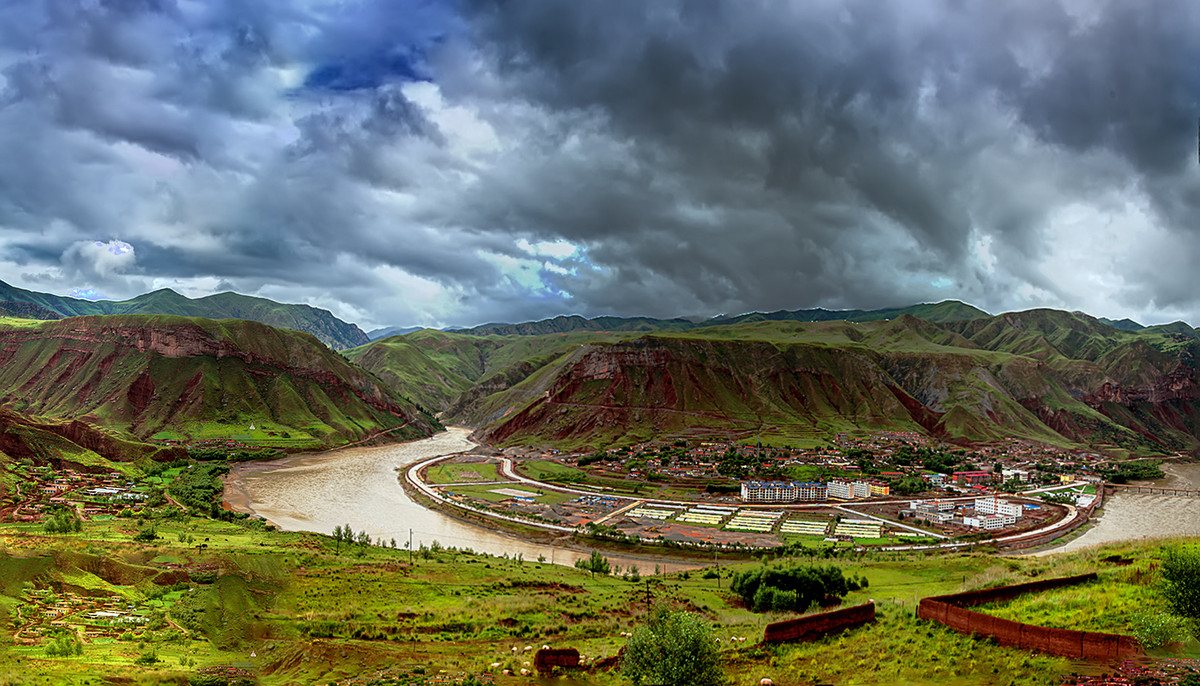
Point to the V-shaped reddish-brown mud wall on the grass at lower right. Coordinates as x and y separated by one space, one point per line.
951 611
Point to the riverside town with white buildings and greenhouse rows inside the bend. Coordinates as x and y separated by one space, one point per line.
890 489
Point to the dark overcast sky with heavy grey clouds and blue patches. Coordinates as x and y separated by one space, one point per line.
452 164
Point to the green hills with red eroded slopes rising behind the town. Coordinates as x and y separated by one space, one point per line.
1048 376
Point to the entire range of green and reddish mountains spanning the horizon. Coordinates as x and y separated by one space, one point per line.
946 370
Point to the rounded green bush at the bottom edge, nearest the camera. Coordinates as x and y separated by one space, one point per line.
674 649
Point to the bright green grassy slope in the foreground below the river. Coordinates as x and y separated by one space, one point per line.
301 609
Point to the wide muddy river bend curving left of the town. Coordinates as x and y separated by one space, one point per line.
361 488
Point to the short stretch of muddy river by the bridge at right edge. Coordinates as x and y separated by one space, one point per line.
1130 516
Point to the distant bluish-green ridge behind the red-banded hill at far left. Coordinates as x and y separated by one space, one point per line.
321 323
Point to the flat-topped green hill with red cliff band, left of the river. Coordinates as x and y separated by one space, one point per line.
193 380
